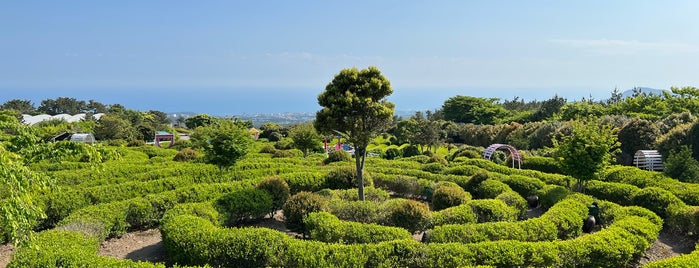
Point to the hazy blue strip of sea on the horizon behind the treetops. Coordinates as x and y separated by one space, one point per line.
238 101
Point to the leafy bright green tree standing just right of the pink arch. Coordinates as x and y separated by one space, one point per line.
587 151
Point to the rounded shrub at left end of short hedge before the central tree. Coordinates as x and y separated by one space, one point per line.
298 206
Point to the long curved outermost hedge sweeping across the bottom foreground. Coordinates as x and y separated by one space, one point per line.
196 241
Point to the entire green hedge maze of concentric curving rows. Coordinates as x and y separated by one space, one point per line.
470 212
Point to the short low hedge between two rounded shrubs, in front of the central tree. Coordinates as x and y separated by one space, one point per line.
325 227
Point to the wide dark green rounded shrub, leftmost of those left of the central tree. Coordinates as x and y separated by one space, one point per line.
239 206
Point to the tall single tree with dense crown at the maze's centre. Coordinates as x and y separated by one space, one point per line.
355 106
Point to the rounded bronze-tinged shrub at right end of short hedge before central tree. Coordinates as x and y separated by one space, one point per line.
409 214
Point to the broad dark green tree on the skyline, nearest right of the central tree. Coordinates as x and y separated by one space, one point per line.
465 109
